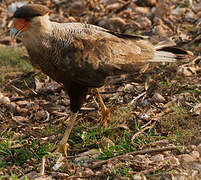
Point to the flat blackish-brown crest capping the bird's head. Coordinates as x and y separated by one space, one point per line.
30 11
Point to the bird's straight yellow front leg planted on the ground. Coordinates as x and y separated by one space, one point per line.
63 145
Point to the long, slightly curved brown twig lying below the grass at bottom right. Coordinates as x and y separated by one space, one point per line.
148 151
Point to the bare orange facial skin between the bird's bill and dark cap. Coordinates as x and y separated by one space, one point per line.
21 24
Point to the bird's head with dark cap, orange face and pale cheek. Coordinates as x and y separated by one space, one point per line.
29 18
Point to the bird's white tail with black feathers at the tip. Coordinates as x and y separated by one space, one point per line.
168 53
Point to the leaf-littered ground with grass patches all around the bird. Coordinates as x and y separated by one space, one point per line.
154 134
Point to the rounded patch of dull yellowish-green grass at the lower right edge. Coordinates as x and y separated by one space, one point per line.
178 125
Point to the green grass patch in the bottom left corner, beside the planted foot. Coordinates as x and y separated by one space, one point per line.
17 153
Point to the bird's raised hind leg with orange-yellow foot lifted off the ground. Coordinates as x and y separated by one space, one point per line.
106 112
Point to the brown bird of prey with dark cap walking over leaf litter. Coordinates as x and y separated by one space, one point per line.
82 56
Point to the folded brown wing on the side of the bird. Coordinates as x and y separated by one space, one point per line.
91 57
